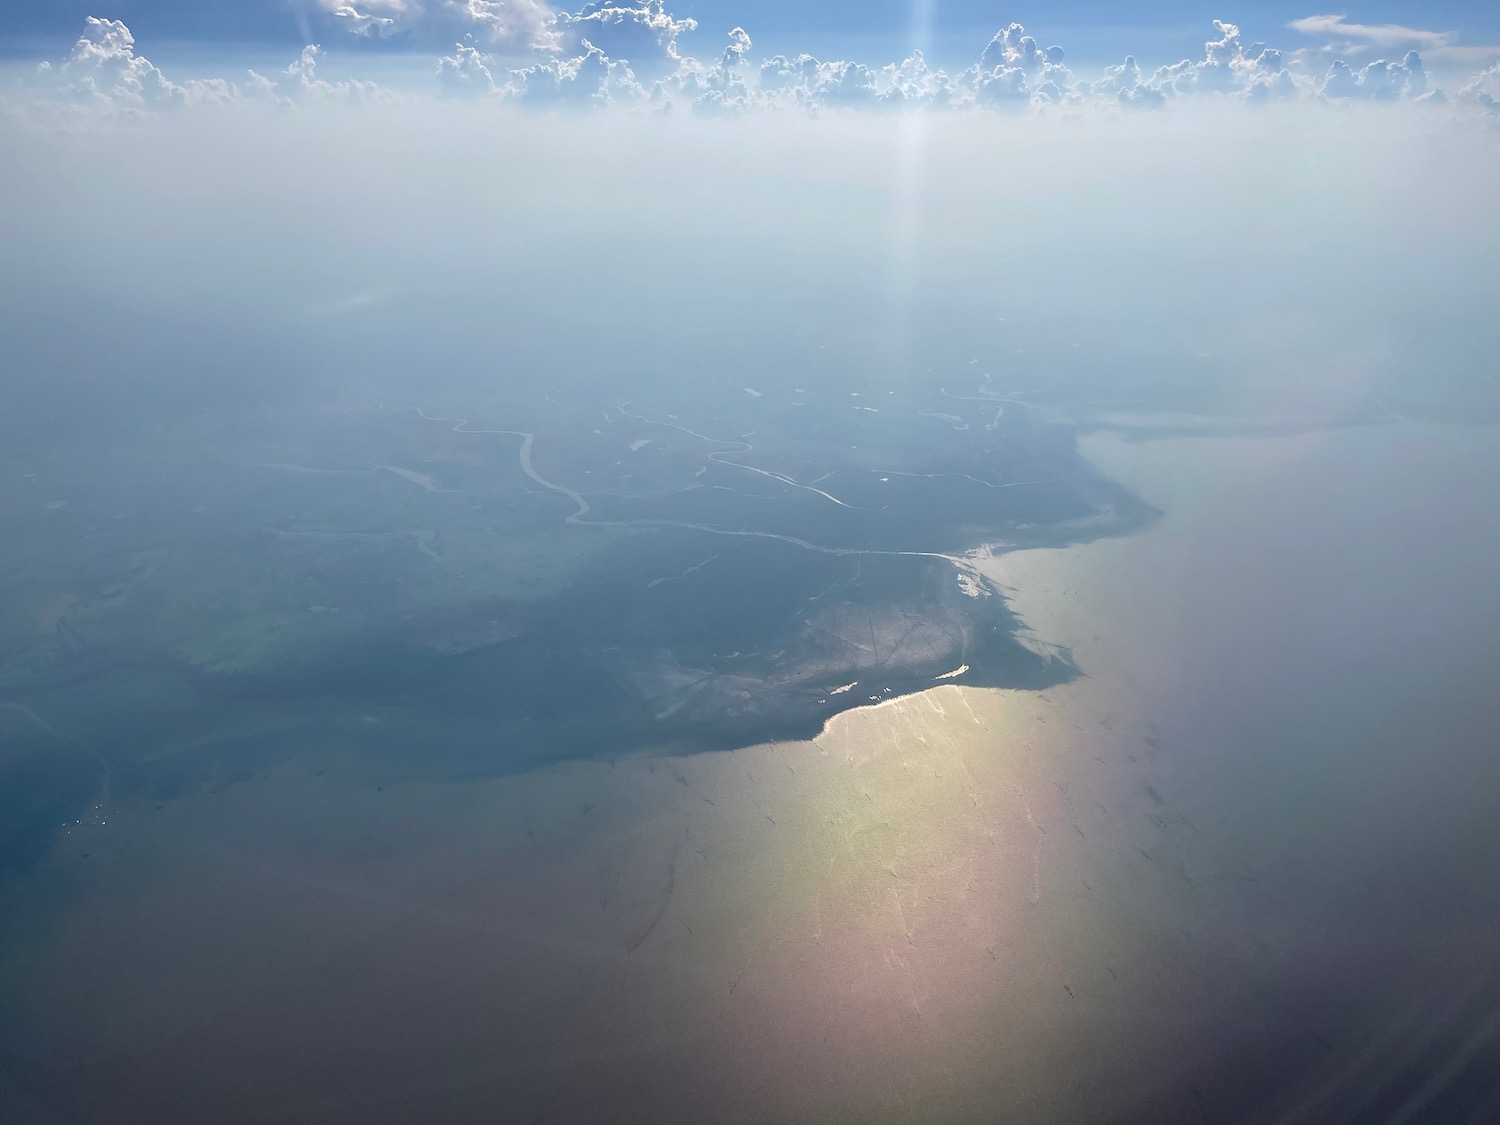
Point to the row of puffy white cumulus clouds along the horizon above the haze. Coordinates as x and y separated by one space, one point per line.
613 55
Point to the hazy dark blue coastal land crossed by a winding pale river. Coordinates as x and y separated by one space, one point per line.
598 583
